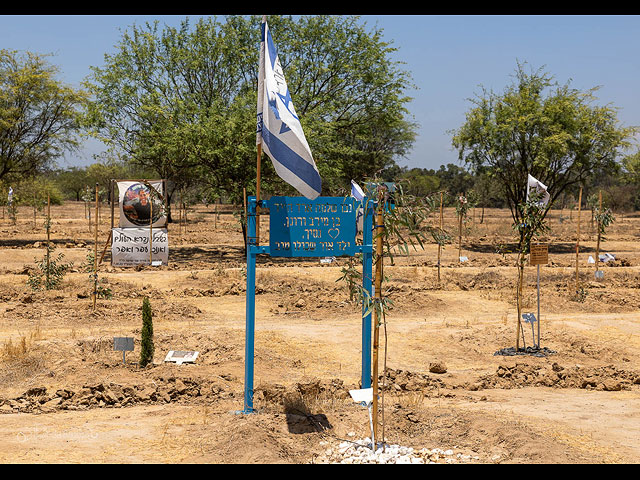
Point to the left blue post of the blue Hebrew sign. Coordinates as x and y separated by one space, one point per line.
250 306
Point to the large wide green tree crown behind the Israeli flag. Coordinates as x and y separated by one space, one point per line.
183 100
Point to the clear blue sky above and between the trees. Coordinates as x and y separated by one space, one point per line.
449 57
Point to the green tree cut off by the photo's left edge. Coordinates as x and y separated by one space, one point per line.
39 117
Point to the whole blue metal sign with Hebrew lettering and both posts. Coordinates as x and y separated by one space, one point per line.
324 227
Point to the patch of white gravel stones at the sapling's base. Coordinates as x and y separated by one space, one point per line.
359 452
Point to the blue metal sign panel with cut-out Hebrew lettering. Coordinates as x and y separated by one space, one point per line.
324 227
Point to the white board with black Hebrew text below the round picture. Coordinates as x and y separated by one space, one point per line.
130 247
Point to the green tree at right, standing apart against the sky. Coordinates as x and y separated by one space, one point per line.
536 126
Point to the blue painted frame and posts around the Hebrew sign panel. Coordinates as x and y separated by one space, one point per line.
253 250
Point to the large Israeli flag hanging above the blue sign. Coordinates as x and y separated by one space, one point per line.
278 127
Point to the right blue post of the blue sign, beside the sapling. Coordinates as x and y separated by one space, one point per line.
367 282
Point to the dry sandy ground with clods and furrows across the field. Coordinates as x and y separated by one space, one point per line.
579 405
